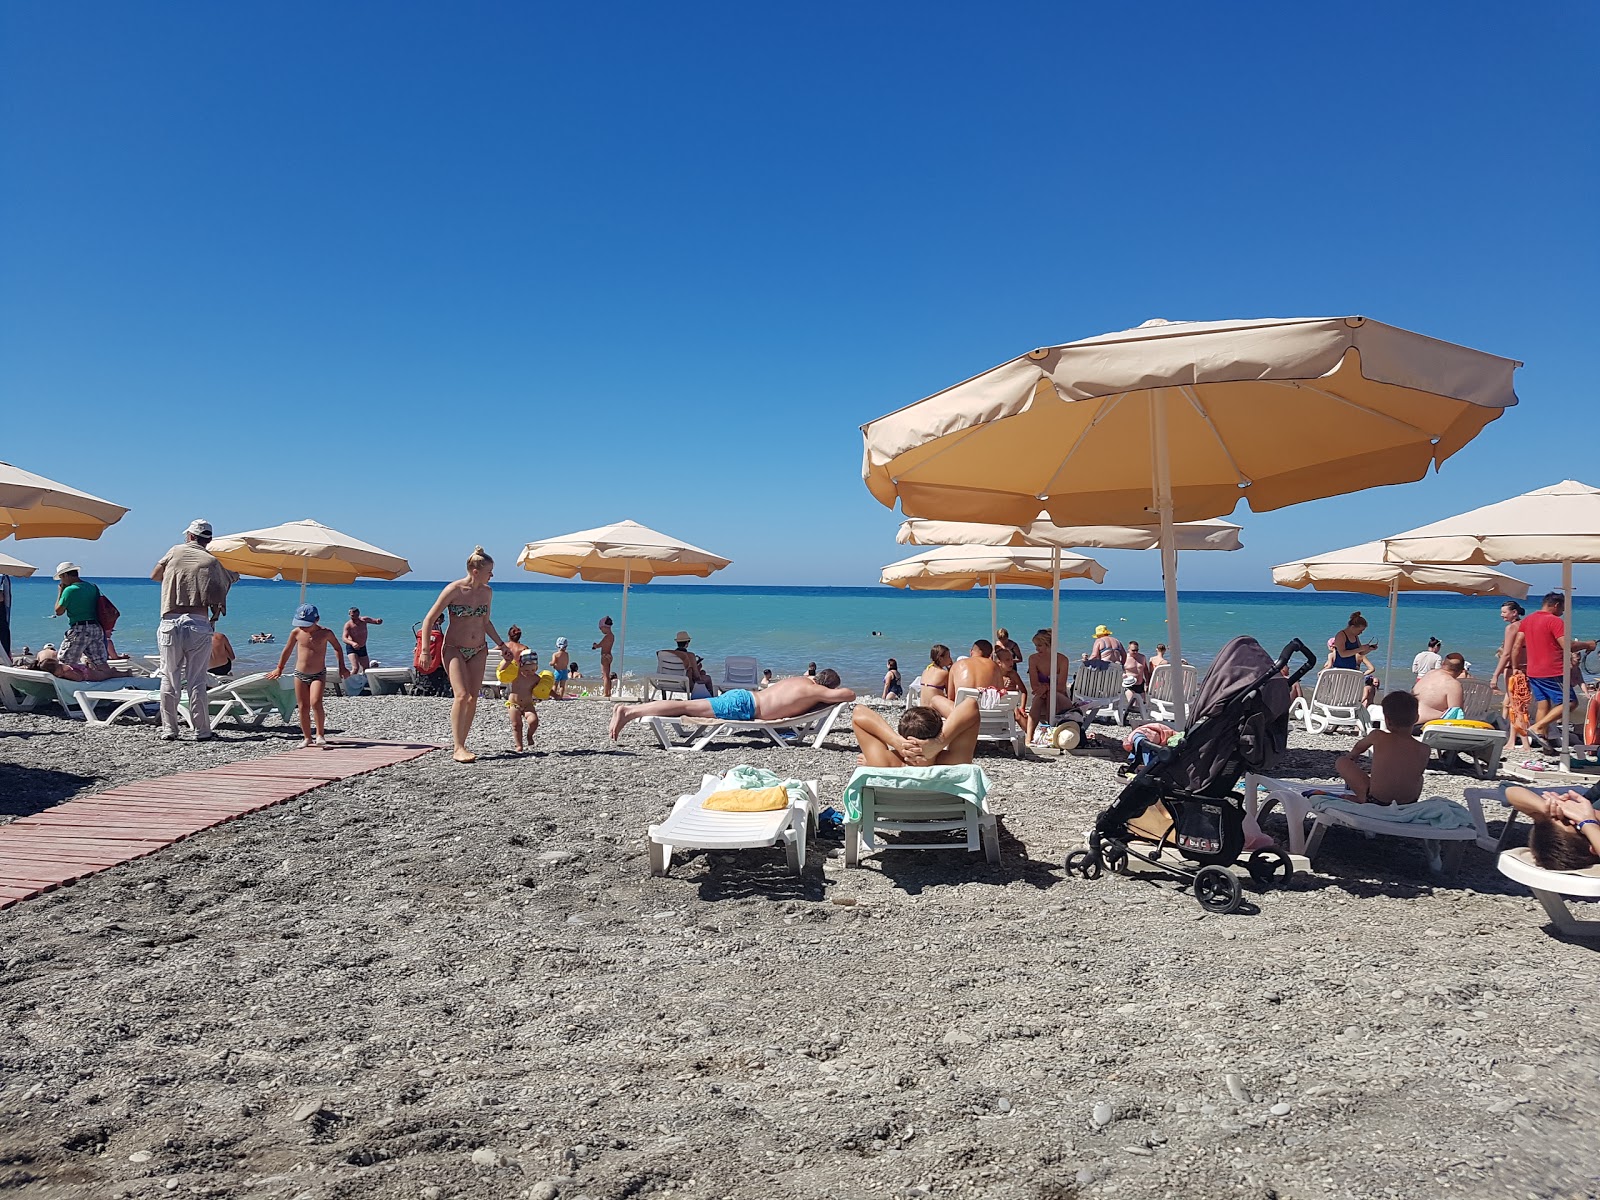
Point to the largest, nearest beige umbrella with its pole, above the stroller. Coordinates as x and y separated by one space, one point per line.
1274 412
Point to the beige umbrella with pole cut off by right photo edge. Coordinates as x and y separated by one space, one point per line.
1551 526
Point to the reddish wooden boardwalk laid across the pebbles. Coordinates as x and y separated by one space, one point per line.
84 838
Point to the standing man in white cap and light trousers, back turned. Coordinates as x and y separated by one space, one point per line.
194 594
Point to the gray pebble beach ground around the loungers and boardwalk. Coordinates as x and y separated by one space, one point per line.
460 982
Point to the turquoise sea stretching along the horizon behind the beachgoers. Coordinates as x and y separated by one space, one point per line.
786 628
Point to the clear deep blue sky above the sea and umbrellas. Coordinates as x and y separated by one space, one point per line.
486 273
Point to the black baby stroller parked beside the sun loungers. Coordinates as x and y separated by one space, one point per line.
1182 806
